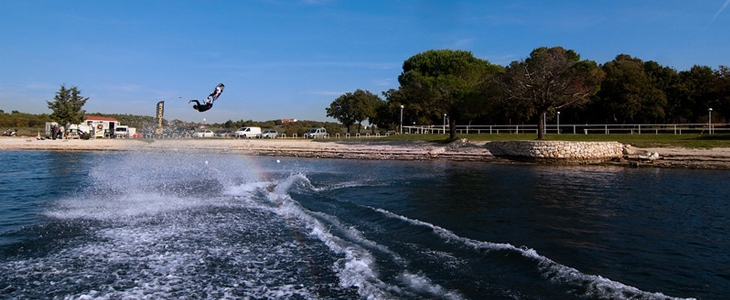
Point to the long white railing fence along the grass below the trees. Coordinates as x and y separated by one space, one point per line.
695 128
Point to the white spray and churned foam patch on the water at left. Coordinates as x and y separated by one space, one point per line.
164 243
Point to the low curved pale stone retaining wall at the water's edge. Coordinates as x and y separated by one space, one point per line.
558 151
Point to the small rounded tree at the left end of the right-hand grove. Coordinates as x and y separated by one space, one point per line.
351 108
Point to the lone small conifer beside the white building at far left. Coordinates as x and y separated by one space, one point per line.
66 106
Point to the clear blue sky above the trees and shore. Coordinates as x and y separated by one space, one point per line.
291 59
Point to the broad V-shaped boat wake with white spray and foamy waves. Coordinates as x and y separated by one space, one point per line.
164 229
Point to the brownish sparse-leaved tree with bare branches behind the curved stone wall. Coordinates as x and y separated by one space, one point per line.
550 79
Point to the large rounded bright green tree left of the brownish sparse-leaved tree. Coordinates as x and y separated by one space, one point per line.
448 82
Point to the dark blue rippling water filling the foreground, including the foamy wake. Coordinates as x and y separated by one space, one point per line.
169 225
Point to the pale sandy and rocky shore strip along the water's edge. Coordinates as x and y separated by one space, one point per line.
376 149
